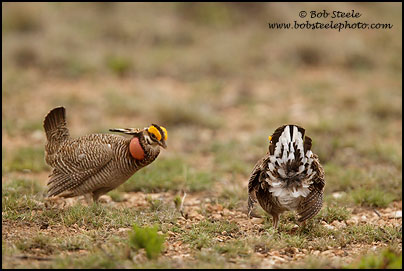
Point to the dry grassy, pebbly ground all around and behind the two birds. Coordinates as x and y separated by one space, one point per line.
220 81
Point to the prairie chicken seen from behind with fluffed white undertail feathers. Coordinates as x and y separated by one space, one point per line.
288 177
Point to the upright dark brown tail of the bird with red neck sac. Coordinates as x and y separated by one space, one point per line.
55 124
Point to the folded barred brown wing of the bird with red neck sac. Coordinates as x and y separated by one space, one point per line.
75 162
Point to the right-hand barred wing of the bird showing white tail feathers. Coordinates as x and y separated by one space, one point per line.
312 204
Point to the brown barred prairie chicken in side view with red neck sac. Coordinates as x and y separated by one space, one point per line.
97 163
